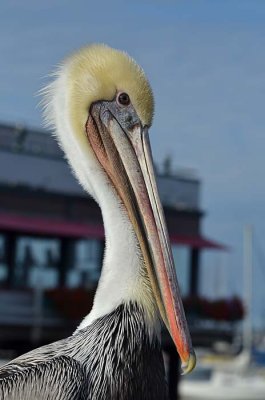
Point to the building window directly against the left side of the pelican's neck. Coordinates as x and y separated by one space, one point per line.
86 263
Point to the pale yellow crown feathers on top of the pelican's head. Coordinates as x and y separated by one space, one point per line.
98 72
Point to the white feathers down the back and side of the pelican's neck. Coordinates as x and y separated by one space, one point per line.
122 279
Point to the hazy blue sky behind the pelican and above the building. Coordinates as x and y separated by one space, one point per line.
206 64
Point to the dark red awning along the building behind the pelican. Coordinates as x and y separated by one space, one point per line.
62 228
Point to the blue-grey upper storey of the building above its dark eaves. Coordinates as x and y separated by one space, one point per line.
33 159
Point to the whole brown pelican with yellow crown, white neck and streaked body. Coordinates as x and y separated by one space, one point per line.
101 106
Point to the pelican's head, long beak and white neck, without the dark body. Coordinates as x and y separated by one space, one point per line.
101 106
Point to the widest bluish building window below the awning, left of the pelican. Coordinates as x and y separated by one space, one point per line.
36 262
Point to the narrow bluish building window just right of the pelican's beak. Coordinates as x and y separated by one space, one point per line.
181 256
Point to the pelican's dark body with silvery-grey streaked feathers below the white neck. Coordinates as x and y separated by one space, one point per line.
113 358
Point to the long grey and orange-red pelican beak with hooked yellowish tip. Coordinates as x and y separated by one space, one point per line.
125 155
